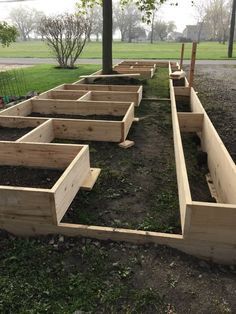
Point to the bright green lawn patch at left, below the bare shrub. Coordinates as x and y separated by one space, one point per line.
43 77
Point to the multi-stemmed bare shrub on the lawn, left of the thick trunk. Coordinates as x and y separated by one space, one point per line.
66 35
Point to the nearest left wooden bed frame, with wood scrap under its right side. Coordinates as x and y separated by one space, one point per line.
38 205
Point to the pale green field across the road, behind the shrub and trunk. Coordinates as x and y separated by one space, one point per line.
38 49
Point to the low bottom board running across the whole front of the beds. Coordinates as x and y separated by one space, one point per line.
215 252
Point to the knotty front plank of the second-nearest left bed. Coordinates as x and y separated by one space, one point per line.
91 130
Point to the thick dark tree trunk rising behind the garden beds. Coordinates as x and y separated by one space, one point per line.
107 37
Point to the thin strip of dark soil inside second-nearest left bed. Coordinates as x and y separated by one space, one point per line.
81 117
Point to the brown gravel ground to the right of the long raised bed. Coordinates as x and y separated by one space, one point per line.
216 87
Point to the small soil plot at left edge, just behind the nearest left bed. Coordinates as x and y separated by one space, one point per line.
13 128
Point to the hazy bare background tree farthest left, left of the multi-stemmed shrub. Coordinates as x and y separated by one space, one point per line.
25 20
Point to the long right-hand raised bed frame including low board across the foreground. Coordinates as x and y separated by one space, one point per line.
208 229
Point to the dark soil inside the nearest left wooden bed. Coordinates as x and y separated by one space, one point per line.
29 177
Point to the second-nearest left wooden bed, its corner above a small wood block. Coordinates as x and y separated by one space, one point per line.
86 120
